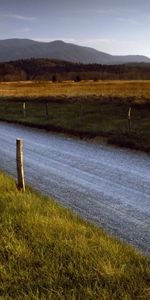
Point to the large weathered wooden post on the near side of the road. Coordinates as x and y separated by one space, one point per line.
20 167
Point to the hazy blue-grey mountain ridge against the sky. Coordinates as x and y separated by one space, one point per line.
15 49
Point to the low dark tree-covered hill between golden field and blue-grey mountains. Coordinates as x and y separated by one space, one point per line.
57 70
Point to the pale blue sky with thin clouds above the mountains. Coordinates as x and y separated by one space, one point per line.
112 26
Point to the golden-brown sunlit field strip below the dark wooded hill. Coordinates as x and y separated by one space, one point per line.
111 88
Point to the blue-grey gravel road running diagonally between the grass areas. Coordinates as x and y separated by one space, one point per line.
107 185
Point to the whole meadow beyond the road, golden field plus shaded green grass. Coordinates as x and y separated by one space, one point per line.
87 109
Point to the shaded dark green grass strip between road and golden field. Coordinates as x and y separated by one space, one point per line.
85 117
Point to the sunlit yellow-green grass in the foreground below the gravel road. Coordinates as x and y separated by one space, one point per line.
47 252
